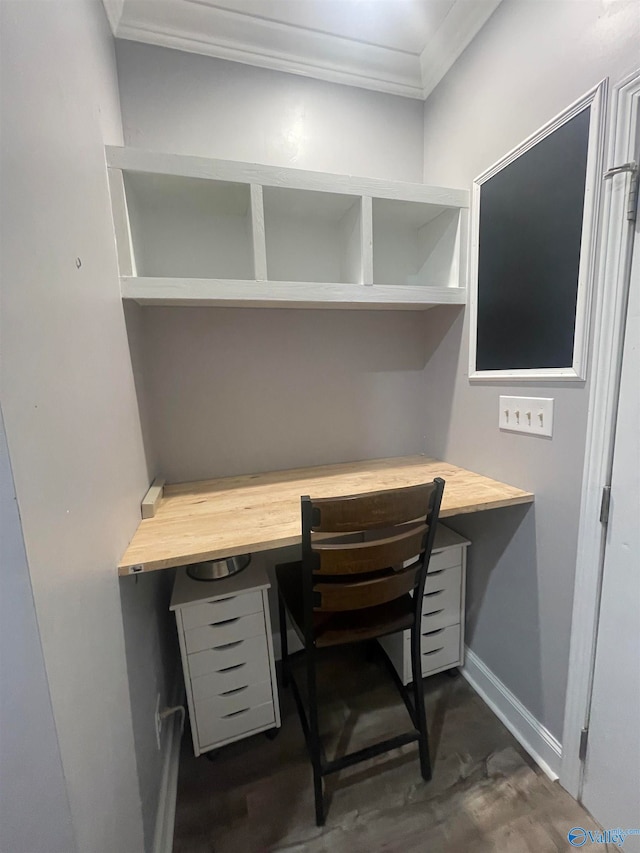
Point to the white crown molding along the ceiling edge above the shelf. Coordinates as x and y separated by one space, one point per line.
201 27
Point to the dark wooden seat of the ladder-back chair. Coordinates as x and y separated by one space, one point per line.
341 627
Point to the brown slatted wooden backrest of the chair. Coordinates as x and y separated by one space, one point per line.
366 550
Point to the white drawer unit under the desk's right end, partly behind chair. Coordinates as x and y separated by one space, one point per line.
442 624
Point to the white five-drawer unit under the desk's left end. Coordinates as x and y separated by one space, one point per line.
227 656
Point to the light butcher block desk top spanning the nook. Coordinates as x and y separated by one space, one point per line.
256 512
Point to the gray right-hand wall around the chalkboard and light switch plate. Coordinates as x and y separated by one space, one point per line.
529 62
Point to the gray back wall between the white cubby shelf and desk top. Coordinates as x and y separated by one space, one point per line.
239 390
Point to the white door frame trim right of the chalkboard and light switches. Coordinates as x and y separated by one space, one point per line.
609 315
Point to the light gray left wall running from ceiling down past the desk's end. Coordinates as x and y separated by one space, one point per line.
75 444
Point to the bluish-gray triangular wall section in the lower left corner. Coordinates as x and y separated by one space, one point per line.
30 766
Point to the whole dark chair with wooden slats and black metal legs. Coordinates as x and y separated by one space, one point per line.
362 557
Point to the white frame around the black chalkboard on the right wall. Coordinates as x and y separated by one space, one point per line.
595 99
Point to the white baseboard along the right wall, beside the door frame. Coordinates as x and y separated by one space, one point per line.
538 741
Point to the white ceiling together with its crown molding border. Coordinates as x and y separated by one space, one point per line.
403 47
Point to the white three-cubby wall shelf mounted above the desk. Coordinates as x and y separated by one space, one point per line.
194 231
